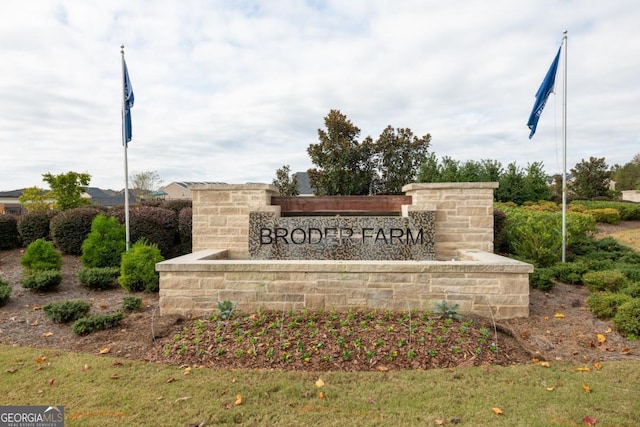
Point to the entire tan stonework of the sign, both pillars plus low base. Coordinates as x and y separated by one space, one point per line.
219 269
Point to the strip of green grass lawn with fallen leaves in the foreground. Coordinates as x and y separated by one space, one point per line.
103 391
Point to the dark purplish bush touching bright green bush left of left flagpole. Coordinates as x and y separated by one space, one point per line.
70 228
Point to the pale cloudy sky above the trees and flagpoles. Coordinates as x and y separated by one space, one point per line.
229 91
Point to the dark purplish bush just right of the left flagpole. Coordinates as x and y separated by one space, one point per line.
156 225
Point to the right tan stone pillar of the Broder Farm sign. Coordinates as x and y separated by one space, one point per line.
464 214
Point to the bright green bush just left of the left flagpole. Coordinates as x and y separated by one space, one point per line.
105 244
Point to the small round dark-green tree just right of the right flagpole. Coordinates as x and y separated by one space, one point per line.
591 178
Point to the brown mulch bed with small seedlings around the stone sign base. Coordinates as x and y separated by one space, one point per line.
560 327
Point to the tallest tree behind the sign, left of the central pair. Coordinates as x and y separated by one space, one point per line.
344 165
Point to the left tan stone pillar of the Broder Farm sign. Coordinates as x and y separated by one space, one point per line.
221 215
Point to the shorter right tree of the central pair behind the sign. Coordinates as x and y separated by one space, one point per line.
398 155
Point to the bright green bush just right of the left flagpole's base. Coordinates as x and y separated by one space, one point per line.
138 268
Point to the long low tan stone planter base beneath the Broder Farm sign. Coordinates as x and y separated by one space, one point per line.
481 283
